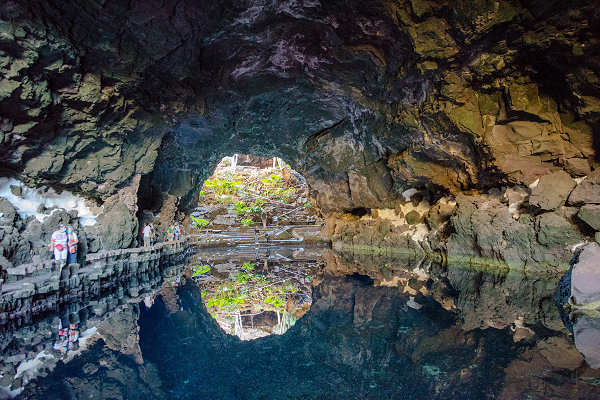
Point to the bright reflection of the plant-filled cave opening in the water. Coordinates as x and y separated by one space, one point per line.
255 295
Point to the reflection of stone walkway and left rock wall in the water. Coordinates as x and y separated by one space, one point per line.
108 311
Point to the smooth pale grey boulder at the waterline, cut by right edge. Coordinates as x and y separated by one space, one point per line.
585 276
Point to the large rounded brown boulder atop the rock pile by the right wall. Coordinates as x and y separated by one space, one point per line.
552 191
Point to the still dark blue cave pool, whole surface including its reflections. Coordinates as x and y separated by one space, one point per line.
369 328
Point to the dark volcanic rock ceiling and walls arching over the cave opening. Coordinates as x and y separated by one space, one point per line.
366 99
